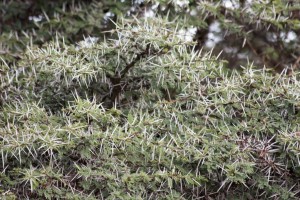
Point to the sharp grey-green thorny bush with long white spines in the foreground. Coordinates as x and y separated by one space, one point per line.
144 116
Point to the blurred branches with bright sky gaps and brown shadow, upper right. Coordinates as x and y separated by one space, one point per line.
257 30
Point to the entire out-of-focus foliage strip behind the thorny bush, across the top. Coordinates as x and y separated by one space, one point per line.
264 32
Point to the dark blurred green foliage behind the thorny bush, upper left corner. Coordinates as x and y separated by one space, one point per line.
67 19
